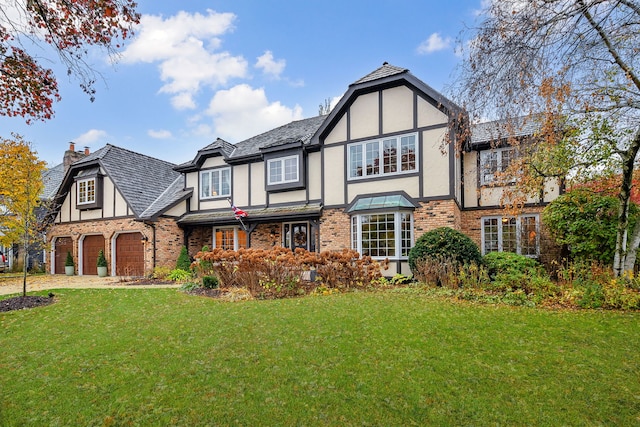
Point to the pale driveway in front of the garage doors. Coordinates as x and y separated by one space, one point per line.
11 283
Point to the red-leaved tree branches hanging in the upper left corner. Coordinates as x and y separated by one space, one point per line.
28 89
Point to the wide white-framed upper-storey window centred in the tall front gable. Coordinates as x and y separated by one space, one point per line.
387 156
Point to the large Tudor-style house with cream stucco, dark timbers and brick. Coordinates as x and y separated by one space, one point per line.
385 166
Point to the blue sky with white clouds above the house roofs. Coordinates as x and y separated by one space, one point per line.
198 70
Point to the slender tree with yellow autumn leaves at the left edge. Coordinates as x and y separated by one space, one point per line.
20 190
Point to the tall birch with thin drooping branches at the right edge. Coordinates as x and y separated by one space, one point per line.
569 61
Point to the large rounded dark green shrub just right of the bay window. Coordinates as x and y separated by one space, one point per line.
444 243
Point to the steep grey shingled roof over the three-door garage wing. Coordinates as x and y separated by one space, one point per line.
141 179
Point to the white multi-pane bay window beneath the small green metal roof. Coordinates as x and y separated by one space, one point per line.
382 235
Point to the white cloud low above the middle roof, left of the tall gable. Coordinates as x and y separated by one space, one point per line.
241 112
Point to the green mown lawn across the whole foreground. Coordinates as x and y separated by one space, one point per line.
160 357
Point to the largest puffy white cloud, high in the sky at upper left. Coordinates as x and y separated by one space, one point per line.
186 46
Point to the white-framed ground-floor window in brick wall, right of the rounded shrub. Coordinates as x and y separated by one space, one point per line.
519 234
